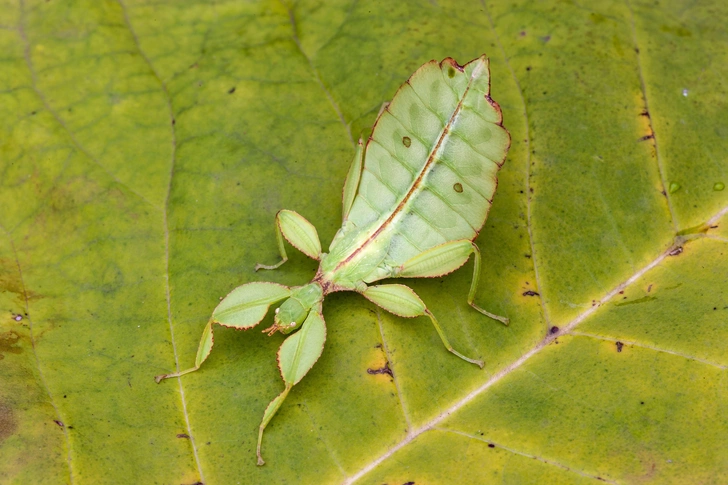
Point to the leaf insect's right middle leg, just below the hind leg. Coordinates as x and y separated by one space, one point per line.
404 302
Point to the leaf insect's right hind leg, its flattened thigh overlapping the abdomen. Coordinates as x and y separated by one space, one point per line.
444 259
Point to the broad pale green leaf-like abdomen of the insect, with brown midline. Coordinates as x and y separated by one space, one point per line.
430 168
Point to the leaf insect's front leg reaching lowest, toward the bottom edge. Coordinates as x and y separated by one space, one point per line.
296 356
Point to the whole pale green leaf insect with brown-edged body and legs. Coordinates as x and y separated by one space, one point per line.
415 198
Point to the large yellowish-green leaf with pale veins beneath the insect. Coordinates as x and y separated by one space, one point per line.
145 149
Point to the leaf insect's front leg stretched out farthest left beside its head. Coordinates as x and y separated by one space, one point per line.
242 308
